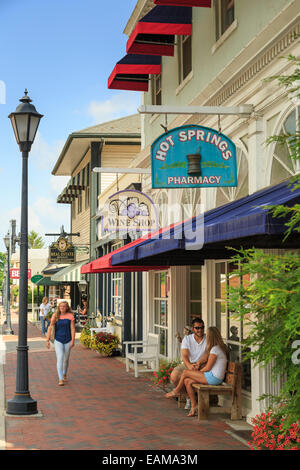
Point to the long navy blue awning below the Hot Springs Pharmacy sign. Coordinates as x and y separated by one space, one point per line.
245 220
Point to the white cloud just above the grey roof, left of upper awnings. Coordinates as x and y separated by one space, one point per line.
119 105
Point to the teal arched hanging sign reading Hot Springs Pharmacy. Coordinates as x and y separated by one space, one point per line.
193 157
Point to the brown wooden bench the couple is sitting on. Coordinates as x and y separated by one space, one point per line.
232 386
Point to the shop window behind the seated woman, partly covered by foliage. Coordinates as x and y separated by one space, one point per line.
233 331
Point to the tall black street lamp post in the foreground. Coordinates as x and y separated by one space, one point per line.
25 121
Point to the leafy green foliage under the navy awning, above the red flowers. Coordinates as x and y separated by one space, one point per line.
269 303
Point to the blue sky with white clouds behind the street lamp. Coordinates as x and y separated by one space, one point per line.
63 52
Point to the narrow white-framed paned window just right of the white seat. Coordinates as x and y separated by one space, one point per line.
161 294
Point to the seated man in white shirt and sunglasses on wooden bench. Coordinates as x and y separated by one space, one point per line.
193 351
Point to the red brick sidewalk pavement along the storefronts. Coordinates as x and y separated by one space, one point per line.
102 407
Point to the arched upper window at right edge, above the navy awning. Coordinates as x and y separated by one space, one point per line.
283 165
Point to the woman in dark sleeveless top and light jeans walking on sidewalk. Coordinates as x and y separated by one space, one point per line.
63 322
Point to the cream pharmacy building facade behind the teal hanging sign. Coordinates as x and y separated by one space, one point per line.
234 47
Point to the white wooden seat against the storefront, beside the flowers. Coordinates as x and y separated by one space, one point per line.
150 353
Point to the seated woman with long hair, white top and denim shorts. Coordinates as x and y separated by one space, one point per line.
212 373
